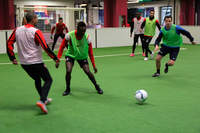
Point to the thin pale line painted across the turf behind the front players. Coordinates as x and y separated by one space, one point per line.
100 56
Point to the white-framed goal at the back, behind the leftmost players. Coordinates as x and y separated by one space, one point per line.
48 16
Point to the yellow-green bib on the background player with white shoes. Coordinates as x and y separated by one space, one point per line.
150 27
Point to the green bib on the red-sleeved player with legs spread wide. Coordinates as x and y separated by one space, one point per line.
78 49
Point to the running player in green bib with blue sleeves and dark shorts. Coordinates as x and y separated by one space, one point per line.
170 35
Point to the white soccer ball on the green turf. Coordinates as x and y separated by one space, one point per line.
141 96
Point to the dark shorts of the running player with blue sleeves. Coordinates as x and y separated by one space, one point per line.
173 52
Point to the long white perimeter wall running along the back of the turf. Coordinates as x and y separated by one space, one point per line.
112 37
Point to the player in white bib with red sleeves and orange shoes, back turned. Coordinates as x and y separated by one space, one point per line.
29 41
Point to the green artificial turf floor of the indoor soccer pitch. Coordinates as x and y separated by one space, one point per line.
172 106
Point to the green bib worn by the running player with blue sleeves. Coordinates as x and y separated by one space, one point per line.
170 37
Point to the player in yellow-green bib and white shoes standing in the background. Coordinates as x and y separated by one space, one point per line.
149 25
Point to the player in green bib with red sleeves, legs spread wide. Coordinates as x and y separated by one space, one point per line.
79 46
